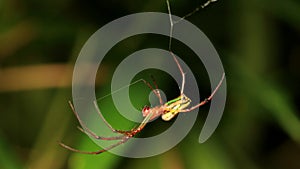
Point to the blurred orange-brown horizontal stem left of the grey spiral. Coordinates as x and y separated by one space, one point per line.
35 77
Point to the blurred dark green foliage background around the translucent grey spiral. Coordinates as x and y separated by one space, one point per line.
258 43
